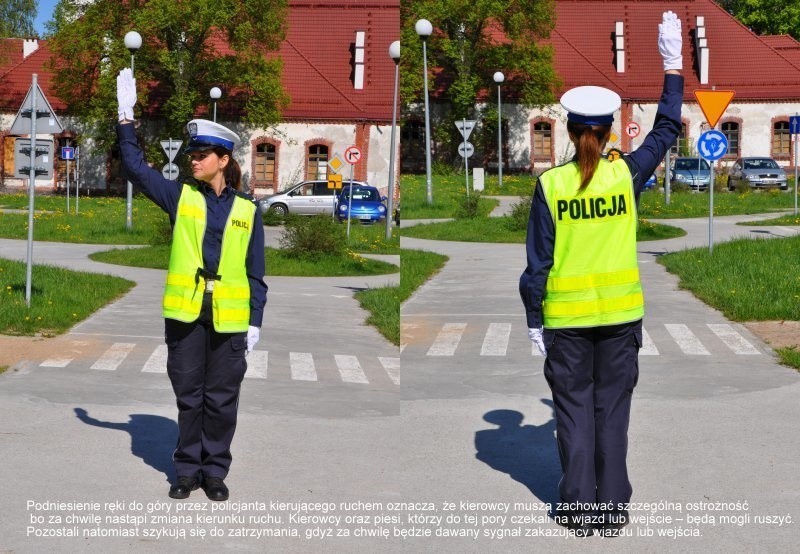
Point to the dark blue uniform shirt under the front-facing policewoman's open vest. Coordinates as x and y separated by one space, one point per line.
165 193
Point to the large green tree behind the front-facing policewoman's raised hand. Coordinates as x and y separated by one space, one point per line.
187 48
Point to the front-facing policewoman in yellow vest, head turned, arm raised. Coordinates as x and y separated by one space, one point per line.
215 293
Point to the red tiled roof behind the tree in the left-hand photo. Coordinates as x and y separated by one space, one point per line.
316 55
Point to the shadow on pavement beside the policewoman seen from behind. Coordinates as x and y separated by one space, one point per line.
528 453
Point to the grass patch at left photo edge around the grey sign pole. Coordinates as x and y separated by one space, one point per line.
60 298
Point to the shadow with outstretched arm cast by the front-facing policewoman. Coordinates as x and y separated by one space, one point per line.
153 438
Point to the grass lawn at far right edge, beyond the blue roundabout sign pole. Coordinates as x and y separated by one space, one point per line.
746 279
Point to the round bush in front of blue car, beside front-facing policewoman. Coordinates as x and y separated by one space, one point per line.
313 237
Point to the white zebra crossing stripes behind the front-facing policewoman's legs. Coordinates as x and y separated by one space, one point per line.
301 364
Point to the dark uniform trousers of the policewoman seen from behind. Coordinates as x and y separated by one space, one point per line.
592 373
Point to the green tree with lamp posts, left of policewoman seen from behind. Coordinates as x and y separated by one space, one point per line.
471 40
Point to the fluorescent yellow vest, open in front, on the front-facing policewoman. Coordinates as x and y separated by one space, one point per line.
183 293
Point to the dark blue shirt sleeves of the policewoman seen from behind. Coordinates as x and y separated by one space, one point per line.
642 163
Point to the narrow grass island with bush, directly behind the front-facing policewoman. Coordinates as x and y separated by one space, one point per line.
278 263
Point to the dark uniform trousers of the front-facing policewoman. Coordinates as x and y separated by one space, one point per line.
206 369
